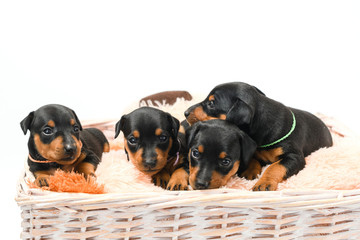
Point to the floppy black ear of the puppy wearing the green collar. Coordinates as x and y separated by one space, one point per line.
240 113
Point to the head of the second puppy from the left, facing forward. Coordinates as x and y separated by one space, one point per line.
150 136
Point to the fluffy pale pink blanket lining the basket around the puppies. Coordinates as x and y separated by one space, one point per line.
335 168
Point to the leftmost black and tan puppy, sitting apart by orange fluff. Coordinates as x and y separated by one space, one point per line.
57 141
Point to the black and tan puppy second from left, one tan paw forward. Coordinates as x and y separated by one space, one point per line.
153 144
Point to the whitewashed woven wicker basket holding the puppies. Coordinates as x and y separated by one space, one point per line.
208 214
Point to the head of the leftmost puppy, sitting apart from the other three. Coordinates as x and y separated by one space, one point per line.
54 134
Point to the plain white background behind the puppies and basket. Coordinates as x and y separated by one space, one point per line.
97 57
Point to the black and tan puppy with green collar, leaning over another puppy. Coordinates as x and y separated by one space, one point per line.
284 135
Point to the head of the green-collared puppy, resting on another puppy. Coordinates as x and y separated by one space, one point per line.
235 102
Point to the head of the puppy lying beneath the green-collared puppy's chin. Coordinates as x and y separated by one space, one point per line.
216 151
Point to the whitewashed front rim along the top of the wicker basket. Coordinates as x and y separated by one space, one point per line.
233 197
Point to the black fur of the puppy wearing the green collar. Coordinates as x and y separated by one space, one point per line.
266 120
